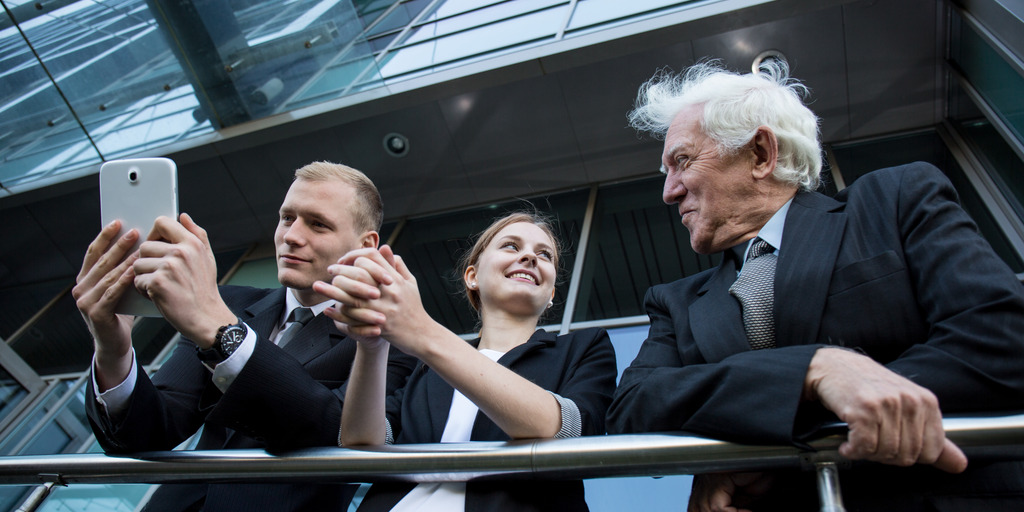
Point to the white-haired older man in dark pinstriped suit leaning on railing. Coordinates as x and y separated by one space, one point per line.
882 308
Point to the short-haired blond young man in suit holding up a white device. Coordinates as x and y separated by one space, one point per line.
257 368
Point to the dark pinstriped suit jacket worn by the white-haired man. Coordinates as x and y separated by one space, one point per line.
891 267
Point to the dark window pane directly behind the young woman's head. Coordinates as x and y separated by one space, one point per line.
433 246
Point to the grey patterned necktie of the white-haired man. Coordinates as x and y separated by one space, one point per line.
756 292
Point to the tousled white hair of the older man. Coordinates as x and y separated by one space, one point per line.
735 107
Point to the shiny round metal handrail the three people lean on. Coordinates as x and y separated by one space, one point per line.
595 457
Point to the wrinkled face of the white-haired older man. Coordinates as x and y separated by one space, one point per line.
715 193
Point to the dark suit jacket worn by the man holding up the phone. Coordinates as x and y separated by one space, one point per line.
282 400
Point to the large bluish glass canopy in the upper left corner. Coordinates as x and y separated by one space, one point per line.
113 66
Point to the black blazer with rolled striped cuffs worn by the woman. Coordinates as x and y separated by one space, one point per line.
579 366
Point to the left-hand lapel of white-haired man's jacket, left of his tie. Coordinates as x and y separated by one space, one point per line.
715 317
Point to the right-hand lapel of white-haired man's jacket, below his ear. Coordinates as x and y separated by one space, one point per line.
814 233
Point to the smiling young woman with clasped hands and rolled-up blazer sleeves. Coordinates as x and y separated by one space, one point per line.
513 382
